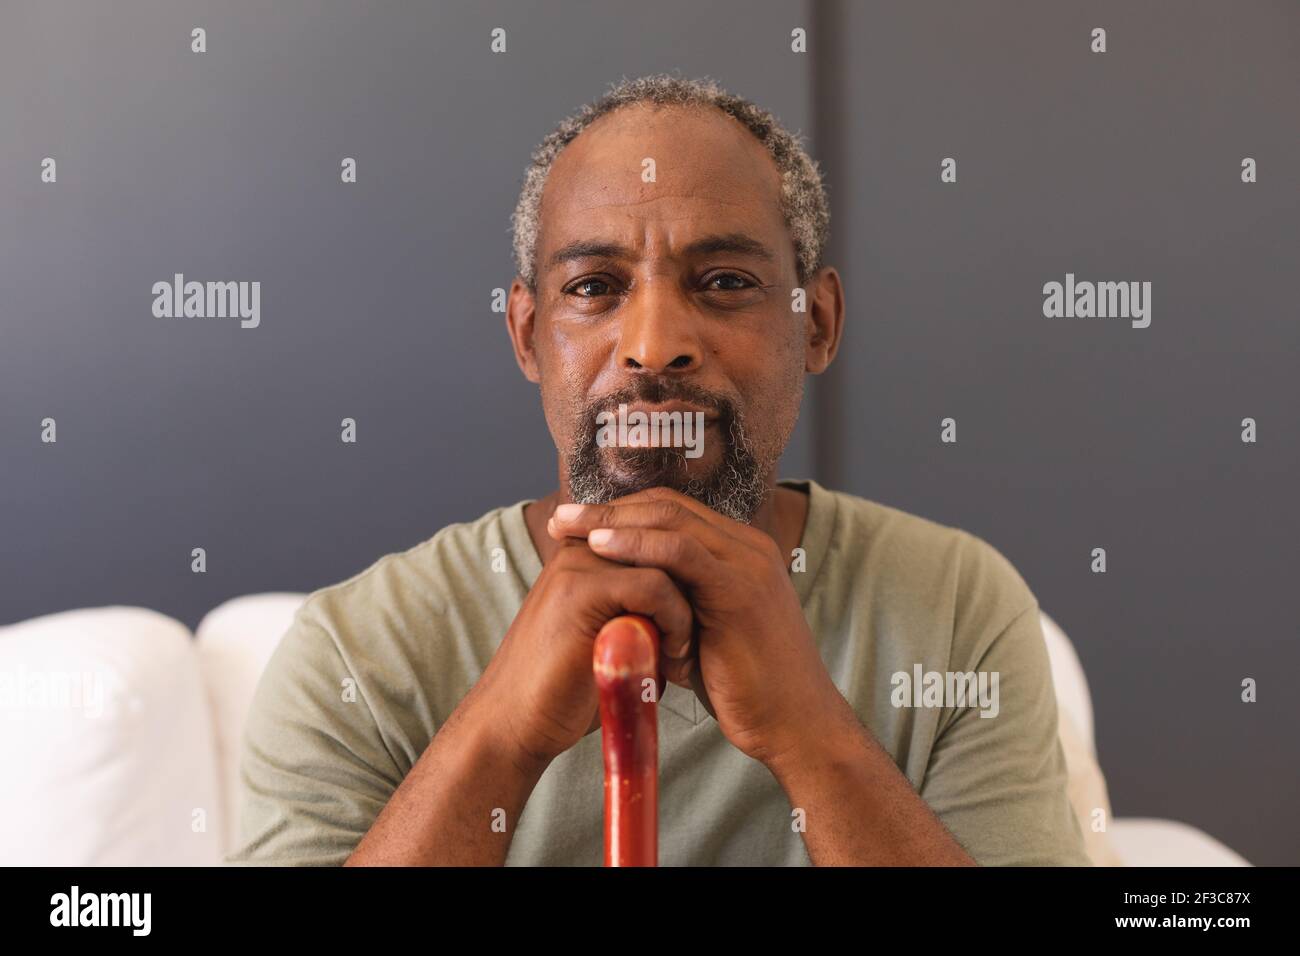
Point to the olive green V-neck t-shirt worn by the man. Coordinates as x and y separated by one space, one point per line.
886 594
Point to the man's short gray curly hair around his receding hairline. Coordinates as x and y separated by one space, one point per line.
804 201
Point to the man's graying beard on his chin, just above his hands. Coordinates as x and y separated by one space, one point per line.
735 490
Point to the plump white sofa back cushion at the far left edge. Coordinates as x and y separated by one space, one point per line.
106 743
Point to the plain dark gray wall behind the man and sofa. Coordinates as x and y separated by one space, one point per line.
1073 434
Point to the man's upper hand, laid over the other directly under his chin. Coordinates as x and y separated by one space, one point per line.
759 668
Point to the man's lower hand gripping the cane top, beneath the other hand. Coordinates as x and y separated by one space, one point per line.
540 685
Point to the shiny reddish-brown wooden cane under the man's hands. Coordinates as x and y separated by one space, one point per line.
626 660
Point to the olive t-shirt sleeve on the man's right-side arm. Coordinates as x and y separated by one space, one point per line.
999 782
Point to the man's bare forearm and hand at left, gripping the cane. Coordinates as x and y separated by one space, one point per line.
536 699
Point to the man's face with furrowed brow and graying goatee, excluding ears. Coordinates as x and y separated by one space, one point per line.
671 293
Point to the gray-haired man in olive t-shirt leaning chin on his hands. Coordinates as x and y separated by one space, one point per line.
440 707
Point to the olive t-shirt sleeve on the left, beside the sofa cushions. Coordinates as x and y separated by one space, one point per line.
314 771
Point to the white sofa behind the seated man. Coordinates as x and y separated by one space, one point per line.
120 738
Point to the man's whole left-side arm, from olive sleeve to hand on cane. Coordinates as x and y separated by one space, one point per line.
326 784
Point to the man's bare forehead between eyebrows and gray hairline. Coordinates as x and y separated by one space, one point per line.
642 165
